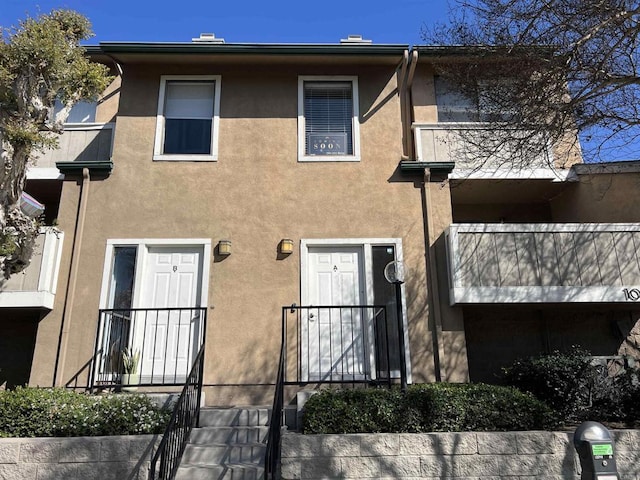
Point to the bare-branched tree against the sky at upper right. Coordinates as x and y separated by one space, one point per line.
546 69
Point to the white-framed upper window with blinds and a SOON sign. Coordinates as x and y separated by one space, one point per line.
328 127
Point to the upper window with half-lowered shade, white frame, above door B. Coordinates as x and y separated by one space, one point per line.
187 121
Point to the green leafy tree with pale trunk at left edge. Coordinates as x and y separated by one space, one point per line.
41 61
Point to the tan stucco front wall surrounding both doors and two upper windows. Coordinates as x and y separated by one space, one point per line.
254 195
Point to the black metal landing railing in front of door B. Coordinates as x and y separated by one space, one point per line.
146 346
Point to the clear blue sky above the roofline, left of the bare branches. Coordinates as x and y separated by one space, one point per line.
246 21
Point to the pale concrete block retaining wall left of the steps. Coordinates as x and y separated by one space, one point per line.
78 458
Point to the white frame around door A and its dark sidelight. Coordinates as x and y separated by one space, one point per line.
366 244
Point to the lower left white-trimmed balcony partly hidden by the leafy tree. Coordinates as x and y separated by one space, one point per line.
35 286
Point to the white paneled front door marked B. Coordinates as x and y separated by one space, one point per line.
171 279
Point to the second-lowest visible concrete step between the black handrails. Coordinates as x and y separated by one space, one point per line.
220 454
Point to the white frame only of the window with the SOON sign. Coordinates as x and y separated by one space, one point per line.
355 120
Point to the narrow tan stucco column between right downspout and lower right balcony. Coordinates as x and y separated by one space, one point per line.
446 322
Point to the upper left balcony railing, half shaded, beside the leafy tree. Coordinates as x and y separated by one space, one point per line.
91 142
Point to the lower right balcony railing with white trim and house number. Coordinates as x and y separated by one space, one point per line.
543 263
